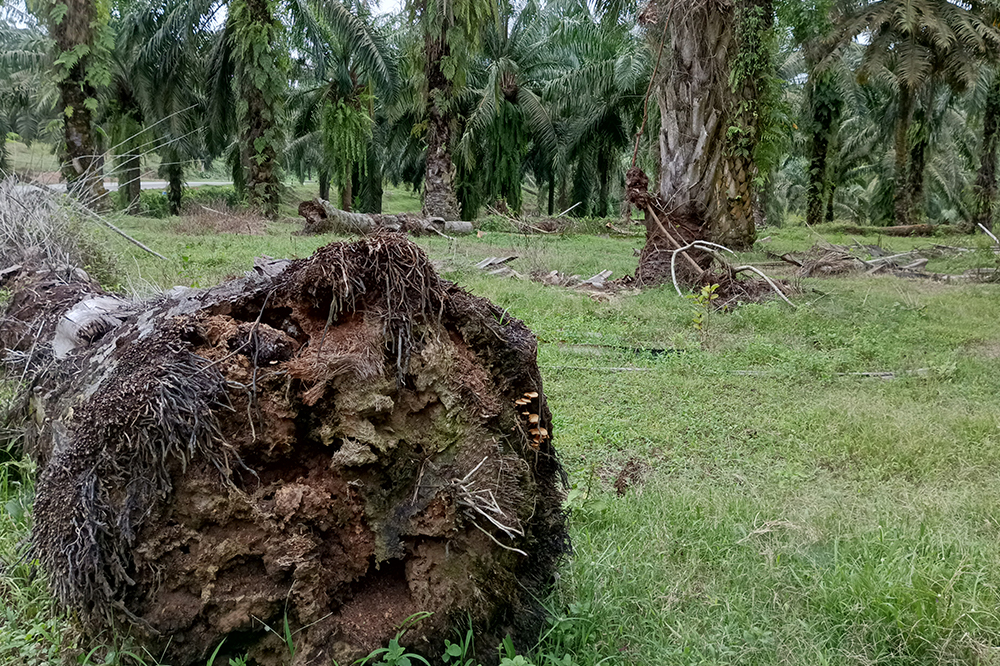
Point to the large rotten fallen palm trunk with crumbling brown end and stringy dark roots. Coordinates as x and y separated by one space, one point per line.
339 444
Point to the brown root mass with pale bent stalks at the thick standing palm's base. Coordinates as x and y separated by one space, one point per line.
678 252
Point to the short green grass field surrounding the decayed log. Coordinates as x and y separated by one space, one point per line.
782 507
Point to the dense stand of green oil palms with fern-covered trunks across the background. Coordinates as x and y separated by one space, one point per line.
875 112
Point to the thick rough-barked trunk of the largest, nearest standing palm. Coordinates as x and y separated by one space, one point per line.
707 177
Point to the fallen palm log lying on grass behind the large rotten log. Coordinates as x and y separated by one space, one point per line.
322 217
